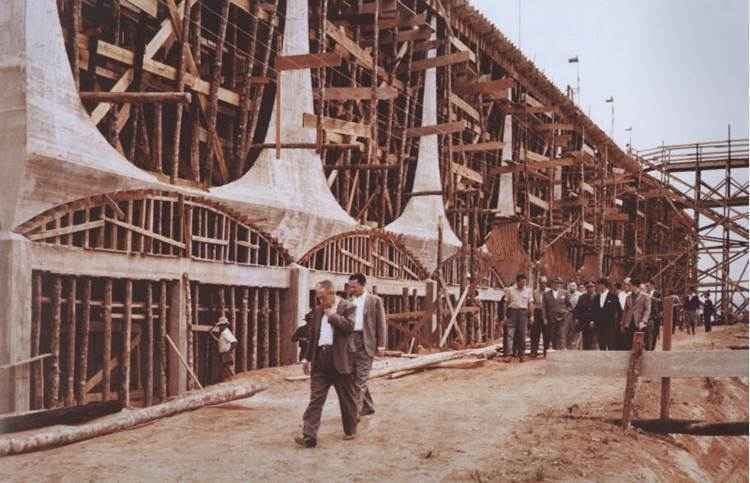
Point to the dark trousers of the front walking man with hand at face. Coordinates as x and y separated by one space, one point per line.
323 376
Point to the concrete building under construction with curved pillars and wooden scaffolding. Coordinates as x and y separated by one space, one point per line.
168 162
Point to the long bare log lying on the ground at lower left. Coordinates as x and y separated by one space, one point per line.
127 418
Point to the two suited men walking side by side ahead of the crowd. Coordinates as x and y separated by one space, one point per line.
343 334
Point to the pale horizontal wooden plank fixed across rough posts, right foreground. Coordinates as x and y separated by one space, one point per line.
714 363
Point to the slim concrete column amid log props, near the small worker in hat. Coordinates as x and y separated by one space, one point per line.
177 331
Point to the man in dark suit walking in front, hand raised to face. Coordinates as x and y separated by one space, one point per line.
330 362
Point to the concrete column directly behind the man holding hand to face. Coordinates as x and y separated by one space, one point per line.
295 306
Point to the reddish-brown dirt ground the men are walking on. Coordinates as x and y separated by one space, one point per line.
500 422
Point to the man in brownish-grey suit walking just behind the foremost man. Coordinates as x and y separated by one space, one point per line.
369 338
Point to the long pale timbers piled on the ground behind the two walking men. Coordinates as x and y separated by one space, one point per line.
403 366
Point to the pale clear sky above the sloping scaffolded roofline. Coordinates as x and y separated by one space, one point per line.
677 69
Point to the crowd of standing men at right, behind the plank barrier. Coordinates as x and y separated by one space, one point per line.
603 317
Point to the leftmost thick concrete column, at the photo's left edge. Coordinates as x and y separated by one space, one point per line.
15 321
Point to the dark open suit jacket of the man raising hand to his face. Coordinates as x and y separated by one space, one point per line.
342 323
